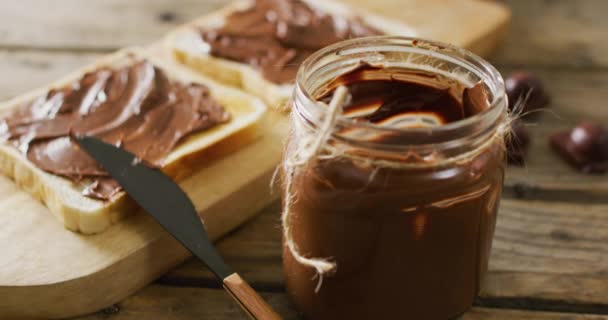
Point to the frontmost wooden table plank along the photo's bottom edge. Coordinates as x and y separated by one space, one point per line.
172 303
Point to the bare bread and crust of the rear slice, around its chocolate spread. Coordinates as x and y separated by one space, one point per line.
189 48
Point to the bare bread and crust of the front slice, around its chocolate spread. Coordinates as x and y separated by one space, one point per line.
89 216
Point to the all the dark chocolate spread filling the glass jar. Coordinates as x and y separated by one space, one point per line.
409 242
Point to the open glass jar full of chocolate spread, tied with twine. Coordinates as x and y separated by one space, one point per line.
392 214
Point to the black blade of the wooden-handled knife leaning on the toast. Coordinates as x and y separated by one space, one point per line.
160 197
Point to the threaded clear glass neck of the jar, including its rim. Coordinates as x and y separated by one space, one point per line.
450 140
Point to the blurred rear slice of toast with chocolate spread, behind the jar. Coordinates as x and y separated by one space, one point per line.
258 45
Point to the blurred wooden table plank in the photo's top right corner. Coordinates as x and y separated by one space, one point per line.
557 33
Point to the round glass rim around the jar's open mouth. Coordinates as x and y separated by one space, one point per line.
440 50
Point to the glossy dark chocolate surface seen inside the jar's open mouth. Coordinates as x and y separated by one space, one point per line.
387 96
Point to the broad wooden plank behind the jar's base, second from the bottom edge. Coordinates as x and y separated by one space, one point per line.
543 251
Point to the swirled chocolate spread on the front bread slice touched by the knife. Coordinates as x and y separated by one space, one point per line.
135 107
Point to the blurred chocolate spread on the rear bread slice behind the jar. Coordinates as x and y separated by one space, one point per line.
276 36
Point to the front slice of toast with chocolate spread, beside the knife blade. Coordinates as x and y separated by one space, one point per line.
170 117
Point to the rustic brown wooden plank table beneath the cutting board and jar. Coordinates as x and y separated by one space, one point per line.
550 255
